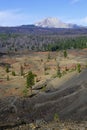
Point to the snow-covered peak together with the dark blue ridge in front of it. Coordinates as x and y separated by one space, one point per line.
48 26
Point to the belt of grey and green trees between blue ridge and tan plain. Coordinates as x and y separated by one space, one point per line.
17 42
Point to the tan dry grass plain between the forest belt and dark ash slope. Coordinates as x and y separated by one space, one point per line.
34 61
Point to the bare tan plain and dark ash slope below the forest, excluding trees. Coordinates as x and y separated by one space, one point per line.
67 96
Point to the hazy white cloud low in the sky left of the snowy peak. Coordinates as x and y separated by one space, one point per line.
14 17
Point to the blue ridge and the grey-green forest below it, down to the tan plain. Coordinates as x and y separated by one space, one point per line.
13 39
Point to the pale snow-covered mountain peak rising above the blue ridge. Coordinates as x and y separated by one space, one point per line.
54 23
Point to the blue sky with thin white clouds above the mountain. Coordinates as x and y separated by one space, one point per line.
23 12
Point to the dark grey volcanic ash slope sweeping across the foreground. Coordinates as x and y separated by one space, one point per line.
69 102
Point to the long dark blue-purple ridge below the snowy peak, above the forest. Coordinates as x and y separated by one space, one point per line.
32 29
